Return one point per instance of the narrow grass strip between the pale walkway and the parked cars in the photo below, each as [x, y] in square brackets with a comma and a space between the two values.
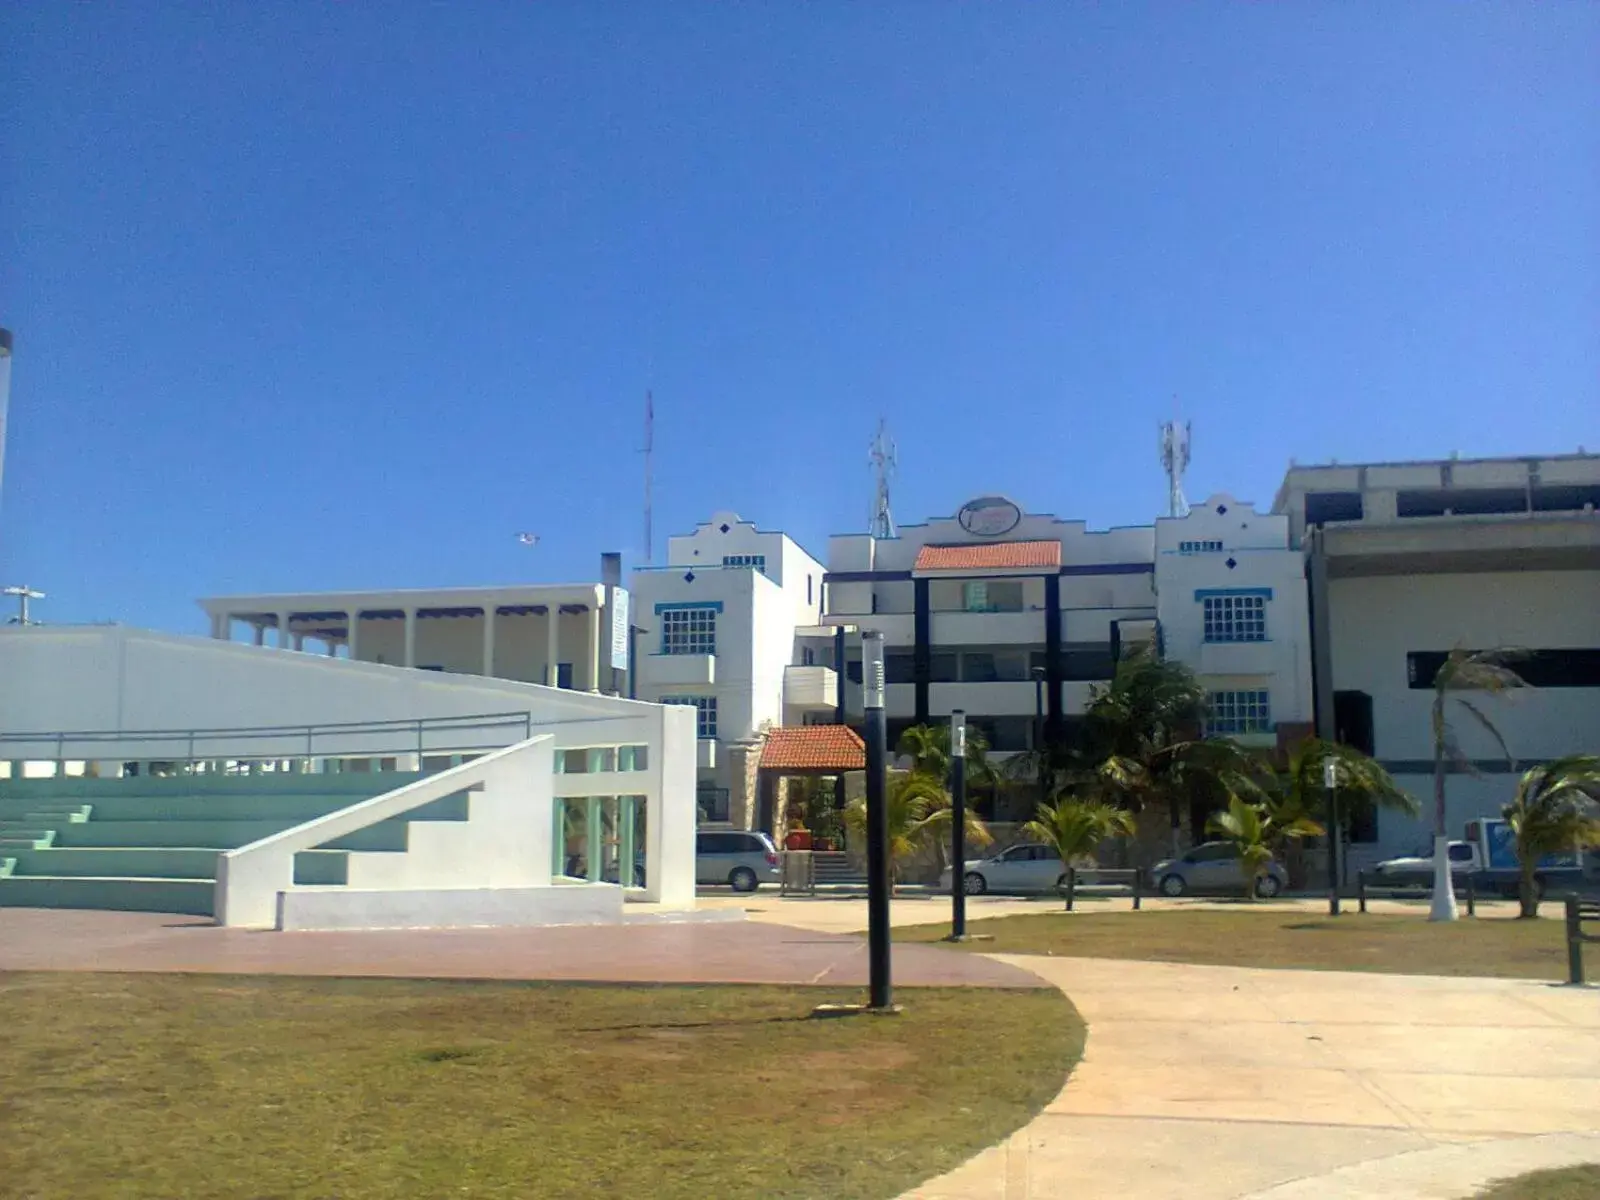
[1407, 945]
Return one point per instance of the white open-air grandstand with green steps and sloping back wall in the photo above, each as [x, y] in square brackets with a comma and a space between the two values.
[278, 788]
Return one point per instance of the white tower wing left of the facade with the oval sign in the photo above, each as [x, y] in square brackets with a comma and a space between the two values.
[718, 631]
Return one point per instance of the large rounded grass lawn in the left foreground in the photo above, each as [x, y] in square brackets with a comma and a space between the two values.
[146, 1086]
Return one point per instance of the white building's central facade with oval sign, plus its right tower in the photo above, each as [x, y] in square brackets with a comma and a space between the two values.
[1017, 617]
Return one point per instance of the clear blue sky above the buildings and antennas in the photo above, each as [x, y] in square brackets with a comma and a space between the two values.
[345, 297]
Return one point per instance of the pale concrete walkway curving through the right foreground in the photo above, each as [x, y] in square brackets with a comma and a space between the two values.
[1217, 1084]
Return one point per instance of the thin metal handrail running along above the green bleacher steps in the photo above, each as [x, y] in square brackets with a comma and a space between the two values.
[81, 740]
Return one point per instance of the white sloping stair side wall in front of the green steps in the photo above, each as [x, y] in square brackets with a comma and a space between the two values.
[510, 849]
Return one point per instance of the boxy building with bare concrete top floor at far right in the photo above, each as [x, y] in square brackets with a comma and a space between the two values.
[1409, 561]
